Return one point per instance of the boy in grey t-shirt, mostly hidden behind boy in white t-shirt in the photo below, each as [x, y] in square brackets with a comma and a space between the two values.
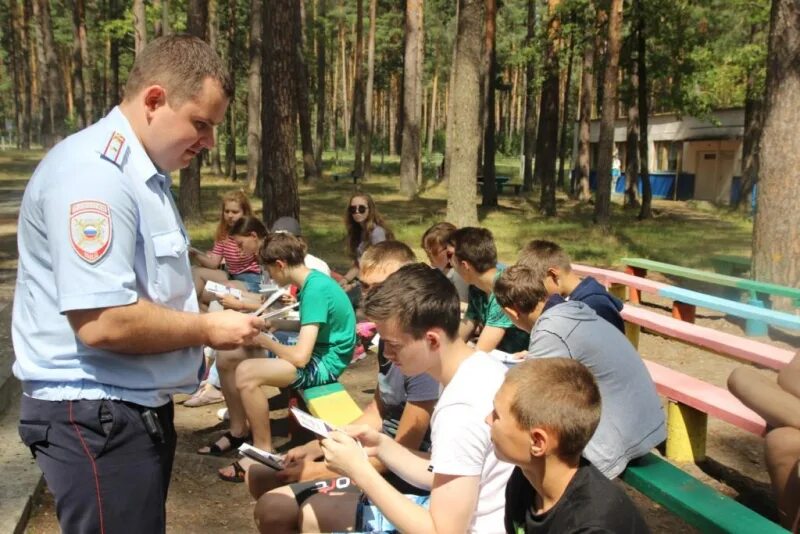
[401, 409]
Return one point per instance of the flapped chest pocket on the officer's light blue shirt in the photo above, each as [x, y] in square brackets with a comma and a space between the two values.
[173, 277]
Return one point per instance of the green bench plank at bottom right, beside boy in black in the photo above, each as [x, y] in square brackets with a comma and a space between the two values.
[687, 497]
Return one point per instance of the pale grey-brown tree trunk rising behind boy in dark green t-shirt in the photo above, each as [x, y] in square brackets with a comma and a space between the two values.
[465, 134]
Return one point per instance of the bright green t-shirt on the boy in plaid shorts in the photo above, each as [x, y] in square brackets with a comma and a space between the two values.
[323, 302]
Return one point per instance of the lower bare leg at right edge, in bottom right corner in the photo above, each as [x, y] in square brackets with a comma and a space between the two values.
[782, 454]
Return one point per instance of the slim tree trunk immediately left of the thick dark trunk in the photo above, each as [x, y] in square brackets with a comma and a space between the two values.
[254, 174]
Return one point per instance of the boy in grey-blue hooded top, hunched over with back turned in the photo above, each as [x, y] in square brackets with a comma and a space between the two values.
[632, 421]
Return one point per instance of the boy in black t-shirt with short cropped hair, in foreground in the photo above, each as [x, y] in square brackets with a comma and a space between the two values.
[544, 414]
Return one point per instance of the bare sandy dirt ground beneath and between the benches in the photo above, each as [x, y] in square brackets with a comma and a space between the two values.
[201, 502]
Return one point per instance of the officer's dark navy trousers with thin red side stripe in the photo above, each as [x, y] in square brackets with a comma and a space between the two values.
[108, 474]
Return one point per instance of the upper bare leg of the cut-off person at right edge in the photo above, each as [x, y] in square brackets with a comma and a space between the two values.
[764, 396]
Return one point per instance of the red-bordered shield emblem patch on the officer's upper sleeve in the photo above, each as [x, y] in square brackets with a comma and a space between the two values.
[90, 229]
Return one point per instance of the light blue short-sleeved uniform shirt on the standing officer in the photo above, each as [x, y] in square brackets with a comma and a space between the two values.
[98, 228]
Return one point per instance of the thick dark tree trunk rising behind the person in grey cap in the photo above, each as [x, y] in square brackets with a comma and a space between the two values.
[280, 116]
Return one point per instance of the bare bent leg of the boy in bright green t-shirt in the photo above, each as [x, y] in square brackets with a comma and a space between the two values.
[250, 376]
